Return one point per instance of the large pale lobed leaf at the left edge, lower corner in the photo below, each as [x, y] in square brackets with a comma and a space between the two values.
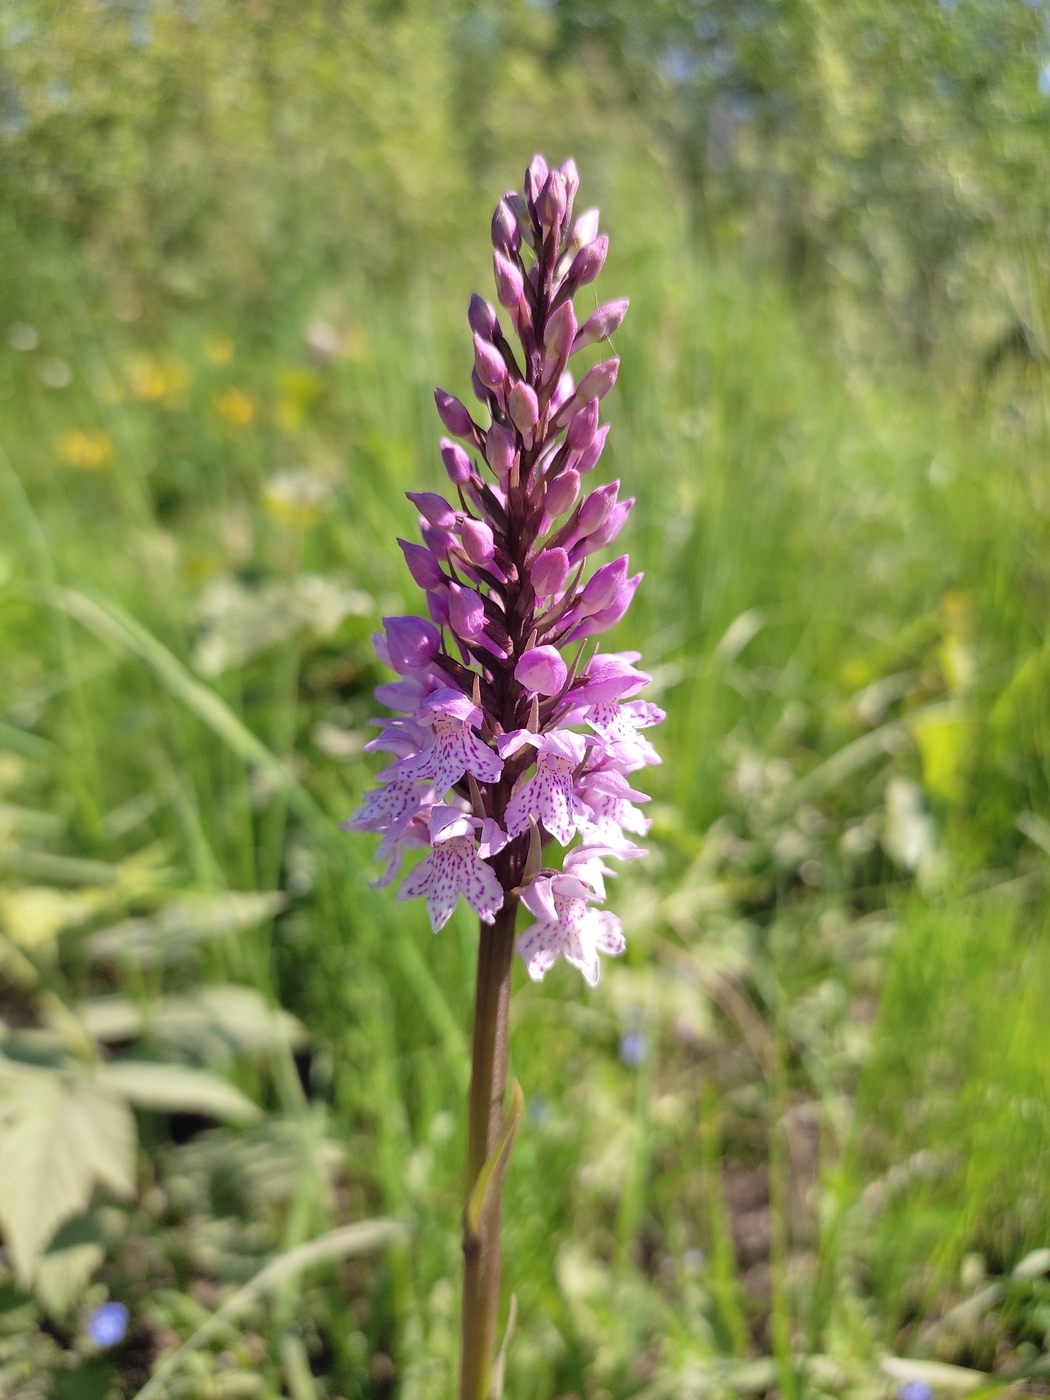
[61, 1137]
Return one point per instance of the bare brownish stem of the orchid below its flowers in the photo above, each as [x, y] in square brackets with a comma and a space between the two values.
[485, 1132]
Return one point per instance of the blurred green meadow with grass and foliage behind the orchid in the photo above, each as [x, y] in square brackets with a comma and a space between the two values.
[796, 1143]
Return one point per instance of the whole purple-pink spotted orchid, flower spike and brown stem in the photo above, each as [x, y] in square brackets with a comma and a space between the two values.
[507, 744]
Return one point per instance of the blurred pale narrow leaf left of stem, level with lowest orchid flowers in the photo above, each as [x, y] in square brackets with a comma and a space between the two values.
[177, 930]
